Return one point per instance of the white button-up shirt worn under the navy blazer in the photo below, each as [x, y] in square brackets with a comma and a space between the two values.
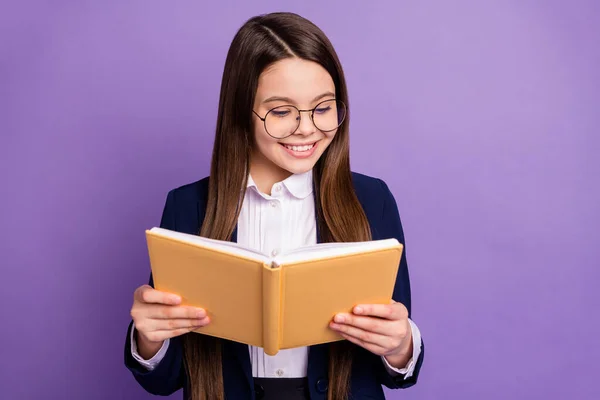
[273, 224]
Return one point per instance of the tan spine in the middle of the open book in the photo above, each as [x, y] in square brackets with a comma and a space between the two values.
[271, 309]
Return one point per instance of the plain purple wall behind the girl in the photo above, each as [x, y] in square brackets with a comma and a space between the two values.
[483, 119]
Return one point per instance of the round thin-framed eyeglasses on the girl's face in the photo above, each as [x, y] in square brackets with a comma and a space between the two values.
[283, 121]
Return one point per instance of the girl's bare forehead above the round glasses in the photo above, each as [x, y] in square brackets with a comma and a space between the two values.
[295, 78]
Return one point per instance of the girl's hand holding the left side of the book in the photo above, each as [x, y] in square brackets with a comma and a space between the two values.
[158, 316]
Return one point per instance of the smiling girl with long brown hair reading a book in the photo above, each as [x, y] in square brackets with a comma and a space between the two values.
[280, 178]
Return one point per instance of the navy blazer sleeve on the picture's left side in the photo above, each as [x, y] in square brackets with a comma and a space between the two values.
[168, 376]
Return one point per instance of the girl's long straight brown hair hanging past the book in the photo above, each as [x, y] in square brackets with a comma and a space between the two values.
[260, 42]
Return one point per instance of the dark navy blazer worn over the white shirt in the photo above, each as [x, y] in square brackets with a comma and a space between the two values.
[184, 212]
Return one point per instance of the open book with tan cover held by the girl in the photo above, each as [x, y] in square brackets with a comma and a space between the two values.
[277, 302]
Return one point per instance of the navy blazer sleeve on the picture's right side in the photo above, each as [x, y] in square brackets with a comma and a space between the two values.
[391, 227]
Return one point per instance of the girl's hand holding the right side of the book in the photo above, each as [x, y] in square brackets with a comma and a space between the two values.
[383, 329]
